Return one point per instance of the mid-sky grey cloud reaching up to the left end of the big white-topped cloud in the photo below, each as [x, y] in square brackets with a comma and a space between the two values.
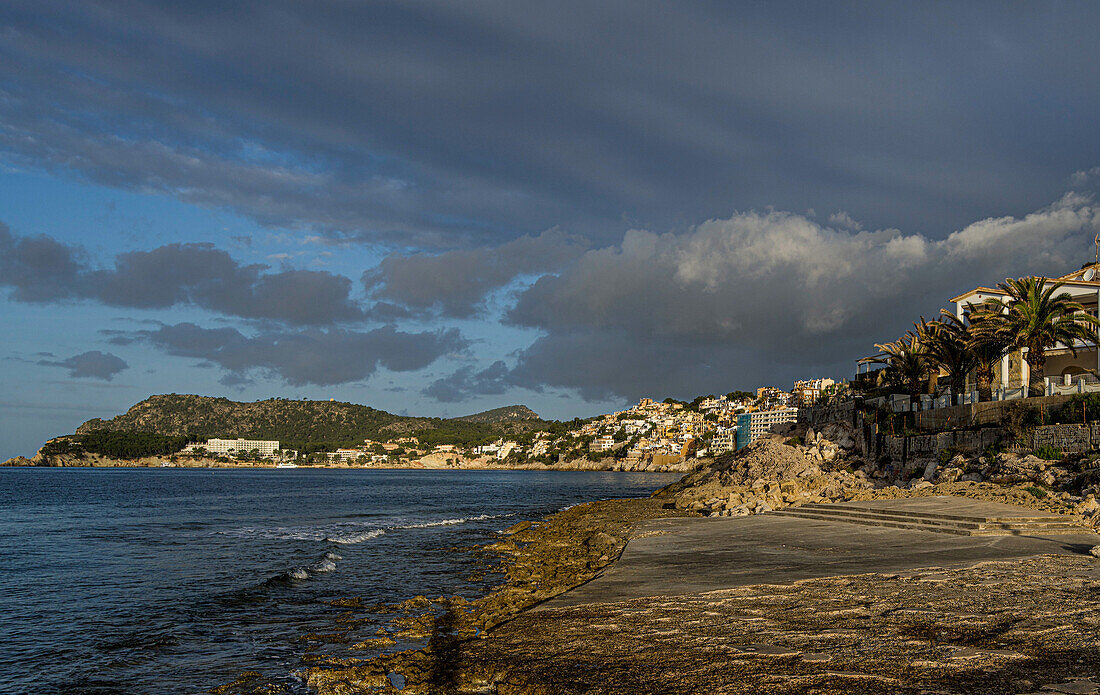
[457, 282]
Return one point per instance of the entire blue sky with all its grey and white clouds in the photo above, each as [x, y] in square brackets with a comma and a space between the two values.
[438, 208]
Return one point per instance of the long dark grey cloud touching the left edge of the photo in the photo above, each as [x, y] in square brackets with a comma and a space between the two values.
[41, 270]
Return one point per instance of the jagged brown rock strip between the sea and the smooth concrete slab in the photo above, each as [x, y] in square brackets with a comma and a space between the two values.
[538, 560]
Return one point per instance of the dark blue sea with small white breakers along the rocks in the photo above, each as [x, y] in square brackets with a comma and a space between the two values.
[156, 581]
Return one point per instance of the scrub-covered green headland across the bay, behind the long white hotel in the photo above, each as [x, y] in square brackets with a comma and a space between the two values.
[303, 425]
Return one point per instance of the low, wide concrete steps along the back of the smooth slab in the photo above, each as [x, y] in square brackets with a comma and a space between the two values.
[1042, 525]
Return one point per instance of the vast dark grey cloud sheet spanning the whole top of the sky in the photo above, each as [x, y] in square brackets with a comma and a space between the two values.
[493, 119]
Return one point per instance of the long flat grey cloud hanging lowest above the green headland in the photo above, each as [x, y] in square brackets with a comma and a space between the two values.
[323, 358]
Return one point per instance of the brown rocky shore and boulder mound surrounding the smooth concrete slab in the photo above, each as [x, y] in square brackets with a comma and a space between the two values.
[926, 632]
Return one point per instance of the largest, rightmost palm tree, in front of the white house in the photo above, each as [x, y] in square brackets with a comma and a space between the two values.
[1032, 316]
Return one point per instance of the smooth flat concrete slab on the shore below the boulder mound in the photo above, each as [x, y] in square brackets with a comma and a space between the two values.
[691, 556]
